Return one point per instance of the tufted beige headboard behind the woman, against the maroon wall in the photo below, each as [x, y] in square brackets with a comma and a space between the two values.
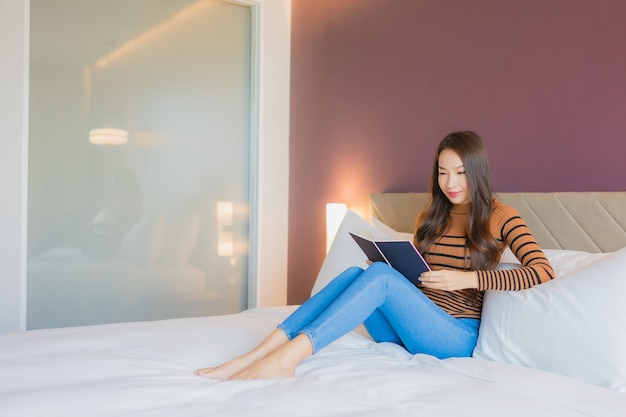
[587, 221]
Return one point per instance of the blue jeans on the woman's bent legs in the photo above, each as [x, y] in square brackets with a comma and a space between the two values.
[392, 310]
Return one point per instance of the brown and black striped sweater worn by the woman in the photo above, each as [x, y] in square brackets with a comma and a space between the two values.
[449, 252]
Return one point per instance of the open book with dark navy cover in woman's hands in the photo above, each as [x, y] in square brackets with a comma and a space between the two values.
[401, 255]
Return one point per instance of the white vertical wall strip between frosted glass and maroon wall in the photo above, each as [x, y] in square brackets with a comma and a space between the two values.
[273, 198]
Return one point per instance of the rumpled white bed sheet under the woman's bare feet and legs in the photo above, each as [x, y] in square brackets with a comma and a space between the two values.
[146, 369]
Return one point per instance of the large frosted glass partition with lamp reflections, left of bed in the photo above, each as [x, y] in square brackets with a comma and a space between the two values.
[150, 220]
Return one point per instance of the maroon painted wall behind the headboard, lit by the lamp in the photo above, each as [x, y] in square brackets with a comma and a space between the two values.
[377, 83]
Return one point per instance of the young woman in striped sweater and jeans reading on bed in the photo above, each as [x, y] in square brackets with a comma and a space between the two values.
[462, 234]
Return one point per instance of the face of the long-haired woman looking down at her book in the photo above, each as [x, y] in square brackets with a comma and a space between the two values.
[452, 178]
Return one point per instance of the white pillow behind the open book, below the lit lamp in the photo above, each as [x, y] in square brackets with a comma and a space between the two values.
[344, 252]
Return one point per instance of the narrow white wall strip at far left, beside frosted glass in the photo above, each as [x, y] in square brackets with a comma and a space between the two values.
[12, 162]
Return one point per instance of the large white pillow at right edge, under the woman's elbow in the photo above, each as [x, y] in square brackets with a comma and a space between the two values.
[573, 325]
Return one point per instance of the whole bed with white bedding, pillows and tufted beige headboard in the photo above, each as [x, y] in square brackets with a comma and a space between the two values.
[555, 350]
